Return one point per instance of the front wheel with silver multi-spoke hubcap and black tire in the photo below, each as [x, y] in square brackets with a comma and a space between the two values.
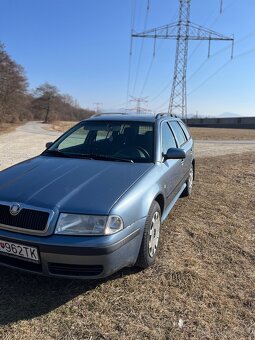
[150, 242]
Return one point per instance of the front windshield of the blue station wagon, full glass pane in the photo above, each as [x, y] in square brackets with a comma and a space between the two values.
[129, 141]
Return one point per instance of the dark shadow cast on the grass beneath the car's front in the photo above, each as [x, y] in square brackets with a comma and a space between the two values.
[25, 296]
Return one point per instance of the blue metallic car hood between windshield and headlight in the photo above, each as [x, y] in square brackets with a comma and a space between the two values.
[68, 184]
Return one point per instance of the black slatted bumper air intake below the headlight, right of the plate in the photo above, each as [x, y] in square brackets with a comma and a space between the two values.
[75, 270]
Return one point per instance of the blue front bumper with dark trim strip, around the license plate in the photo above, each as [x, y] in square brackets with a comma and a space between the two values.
[87, 257]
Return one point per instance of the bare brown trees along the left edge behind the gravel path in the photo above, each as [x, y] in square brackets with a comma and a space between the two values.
[45, 103]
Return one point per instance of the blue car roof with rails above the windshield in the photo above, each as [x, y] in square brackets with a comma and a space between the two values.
[131, 117]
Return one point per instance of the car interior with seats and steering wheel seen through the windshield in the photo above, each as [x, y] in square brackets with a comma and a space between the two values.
[127, 141]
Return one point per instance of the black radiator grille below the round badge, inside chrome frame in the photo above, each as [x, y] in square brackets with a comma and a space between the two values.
[26, 219]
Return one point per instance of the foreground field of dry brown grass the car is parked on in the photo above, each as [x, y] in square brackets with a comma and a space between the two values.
[204, 275]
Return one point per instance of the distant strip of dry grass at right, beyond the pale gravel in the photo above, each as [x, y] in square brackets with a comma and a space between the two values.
[222, 134]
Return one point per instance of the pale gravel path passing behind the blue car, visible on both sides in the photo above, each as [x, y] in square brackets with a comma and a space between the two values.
[29, 140]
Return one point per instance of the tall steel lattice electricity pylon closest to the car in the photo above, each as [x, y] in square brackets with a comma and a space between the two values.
[183, 31]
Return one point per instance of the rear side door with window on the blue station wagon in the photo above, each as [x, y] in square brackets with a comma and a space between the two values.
[185, 143]
